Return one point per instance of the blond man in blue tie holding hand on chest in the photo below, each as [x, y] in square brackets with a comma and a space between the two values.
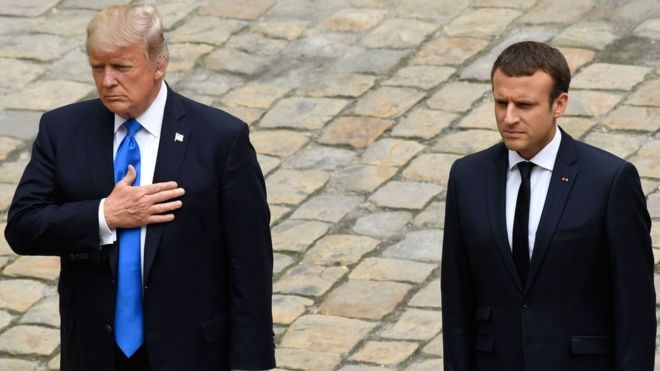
[157, 207]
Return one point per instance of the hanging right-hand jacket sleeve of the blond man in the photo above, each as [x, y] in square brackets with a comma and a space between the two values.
[247, 227]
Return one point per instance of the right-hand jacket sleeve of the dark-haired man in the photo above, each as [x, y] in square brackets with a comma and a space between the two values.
[631, 257]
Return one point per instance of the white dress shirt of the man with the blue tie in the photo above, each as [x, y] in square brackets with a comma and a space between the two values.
[148, 139]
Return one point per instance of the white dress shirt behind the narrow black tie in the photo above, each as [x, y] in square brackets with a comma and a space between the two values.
[539, 184]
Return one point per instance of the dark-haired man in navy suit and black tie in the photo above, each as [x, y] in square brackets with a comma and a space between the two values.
[547, 261]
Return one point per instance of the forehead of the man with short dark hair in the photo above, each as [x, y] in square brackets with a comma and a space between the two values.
[539, 83]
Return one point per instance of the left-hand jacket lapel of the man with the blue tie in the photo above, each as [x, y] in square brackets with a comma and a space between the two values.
[99, 136]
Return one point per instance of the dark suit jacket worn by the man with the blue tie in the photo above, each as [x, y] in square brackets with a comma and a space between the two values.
[207, 275]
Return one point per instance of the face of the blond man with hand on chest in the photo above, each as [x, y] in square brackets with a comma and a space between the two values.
[126, 81]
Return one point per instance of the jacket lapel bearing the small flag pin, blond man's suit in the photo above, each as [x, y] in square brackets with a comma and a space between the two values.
[168, 162]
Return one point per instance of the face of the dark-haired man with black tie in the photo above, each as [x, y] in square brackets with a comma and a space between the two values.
[525, 118]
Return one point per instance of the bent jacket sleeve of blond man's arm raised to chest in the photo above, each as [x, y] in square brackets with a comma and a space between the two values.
[41, 221]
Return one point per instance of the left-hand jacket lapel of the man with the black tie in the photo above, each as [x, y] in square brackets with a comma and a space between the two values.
[496, 199]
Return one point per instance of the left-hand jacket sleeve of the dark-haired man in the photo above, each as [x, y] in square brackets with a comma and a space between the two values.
[457, 289]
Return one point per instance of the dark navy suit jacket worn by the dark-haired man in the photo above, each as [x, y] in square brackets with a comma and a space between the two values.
[589, 302]
